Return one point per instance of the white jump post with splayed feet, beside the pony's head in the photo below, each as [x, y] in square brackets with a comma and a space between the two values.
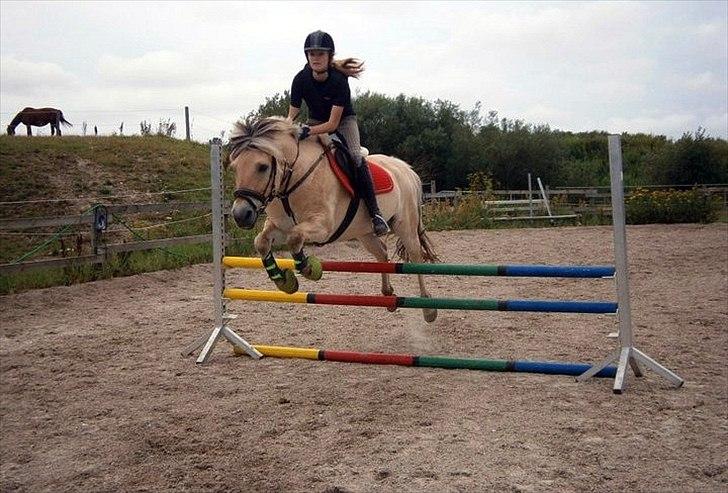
[219, 237]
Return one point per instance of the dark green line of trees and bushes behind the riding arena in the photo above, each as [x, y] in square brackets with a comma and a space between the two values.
[450, 145]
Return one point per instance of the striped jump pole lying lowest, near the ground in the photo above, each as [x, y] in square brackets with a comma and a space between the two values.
[521, 366]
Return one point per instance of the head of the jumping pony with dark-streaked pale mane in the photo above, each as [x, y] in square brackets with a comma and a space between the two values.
[256, 148]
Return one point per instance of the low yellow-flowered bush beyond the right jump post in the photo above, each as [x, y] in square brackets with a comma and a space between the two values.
[671, 206]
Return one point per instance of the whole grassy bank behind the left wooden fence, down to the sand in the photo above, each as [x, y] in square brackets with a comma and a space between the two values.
[51, 176]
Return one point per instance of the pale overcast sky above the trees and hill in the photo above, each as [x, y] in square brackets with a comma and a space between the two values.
[650, 67]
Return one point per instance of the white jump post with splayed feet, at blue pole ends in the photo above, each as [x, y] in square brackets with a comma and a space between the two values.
[626, 354]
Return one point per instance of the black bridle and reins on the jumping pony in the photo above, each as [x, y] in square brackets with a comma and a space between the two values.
[283, 191]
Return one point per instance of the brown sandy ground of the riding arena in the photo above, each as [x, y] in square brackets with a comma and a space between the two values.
[95, 396]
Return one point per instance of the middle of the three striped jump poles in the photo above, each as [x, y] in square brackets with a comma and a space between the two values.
[393, 302]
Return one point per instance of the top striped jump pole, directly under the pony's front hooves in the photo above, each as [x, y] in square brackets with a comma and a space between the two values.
[574, 271]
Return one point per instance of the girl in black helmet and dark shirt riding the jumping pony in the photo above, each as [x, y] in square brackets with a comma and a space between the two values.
[323, 84]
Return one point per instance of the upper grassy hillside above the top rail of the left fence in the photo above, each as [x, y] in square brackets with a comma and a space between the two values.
[41, 168]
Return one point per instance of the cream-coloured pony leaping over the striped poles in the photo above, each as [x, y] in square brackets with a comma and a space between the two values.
[305, 202]
